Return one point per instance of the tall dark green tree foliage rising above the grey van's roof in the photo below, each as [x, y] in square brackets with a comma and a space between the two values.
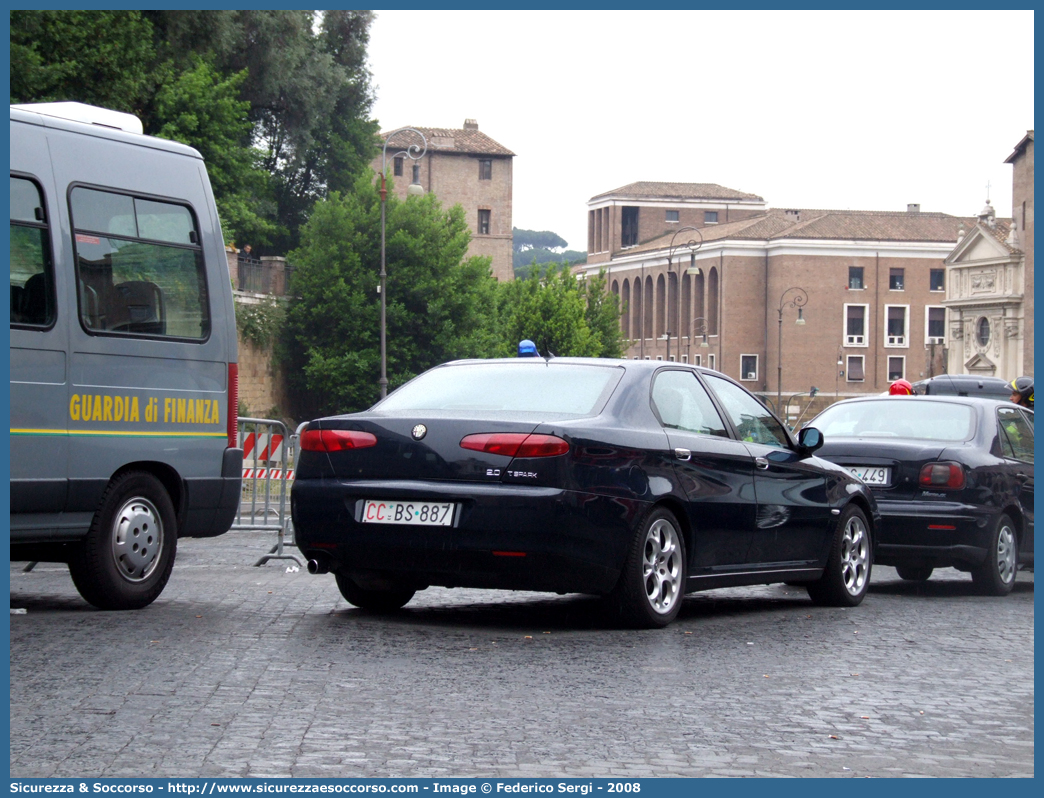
[279, 109]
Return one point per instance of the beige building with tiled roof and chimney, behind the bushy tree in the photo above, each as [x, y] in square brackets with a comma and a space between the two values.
[463, 168]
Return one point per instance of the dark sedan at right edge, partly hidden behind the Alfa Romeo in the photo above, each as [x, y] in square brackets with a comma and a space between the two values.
[954, 479]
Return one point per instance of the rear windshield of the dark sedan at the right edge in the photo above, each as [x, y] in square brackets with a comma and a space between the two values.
[898, 418]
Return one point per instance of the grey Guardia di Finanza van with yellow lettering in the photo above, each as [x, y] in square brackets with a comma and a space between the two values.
[124, 355]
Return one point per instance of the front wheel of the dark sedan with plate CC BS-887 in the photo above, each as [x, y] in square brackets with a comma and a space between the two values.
[847, 576]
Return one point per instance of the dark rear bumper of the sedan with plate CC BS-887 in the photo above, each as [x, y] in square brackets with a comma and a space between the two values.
[508, 537]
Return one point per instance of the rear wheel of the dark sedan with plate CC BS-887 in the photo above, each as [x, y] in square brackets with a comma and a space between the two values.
[650, 593]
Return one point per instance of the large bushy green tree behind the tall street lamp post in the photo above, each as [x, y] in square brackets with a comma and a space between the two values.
[438, 301]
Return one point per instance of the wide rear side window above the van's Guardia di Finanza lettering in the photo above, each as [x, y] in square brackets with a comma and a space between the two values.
[139, 267]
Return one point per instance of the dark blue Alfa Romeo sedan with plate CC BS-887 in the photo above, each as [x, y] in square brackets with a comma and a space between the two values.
[637, 481]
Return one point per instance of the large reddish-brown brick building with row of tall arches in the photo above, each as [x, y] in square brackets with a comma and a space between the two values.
[875, 284]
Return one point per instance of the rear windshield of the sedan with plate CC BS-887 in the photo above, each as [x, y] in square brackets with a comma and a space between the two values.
[548, 390]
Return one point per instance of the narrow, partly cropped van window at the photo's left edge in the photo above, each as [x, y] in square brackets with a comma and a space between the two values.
[32, 270]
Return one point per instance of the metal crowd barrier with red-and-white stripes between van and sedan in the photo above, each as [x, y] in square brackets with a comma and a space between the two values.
[269, 459]
